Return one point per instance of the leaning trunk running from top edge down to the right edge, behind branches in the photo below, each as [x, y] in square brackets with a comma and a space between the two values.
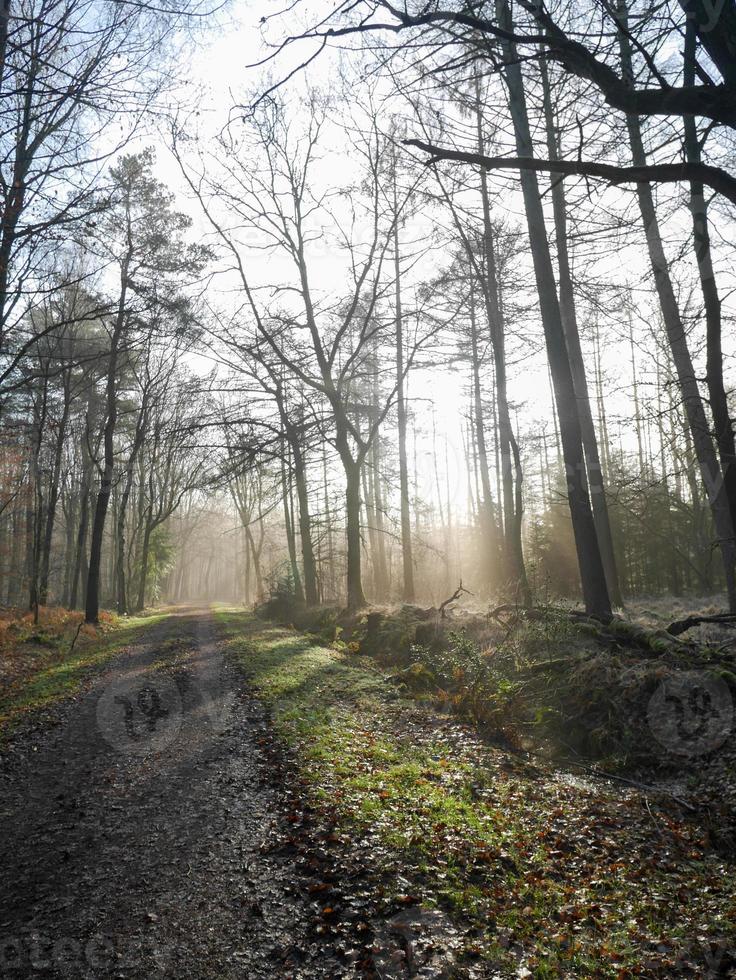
[705, 455]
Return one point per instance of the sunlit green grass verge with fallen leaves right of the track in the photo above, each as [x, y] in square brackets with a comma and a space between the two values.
[584, 882]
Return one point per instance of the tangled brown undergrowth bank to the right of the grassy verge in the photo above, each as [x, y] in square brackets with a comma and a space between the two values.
[545, 681]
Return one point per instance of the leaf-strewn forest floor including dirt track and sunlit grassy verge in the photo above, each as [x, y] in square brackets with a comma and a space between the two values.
[222, 797]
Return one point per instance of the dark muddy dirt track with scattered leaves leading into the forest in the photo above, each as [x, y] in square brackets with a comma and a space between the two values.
[132, 832]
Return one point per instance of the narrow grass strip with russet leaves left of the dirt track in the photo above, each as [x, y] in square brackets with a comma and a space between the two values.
[54, 674]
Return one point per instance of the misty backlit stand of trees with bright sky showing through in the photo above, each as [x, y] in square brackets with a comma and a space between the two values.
[438, 296]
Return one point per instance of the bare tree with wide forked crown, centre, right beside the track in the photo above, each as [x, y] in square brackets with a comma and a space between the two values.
[273, 192]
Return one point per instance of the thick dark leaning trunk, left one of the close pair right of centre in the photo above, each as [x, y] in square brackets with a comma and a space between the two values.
[593, 580]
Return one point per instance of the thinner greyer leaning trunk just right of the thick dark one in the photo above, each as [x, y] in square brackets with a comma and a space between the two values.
[568, 313]
